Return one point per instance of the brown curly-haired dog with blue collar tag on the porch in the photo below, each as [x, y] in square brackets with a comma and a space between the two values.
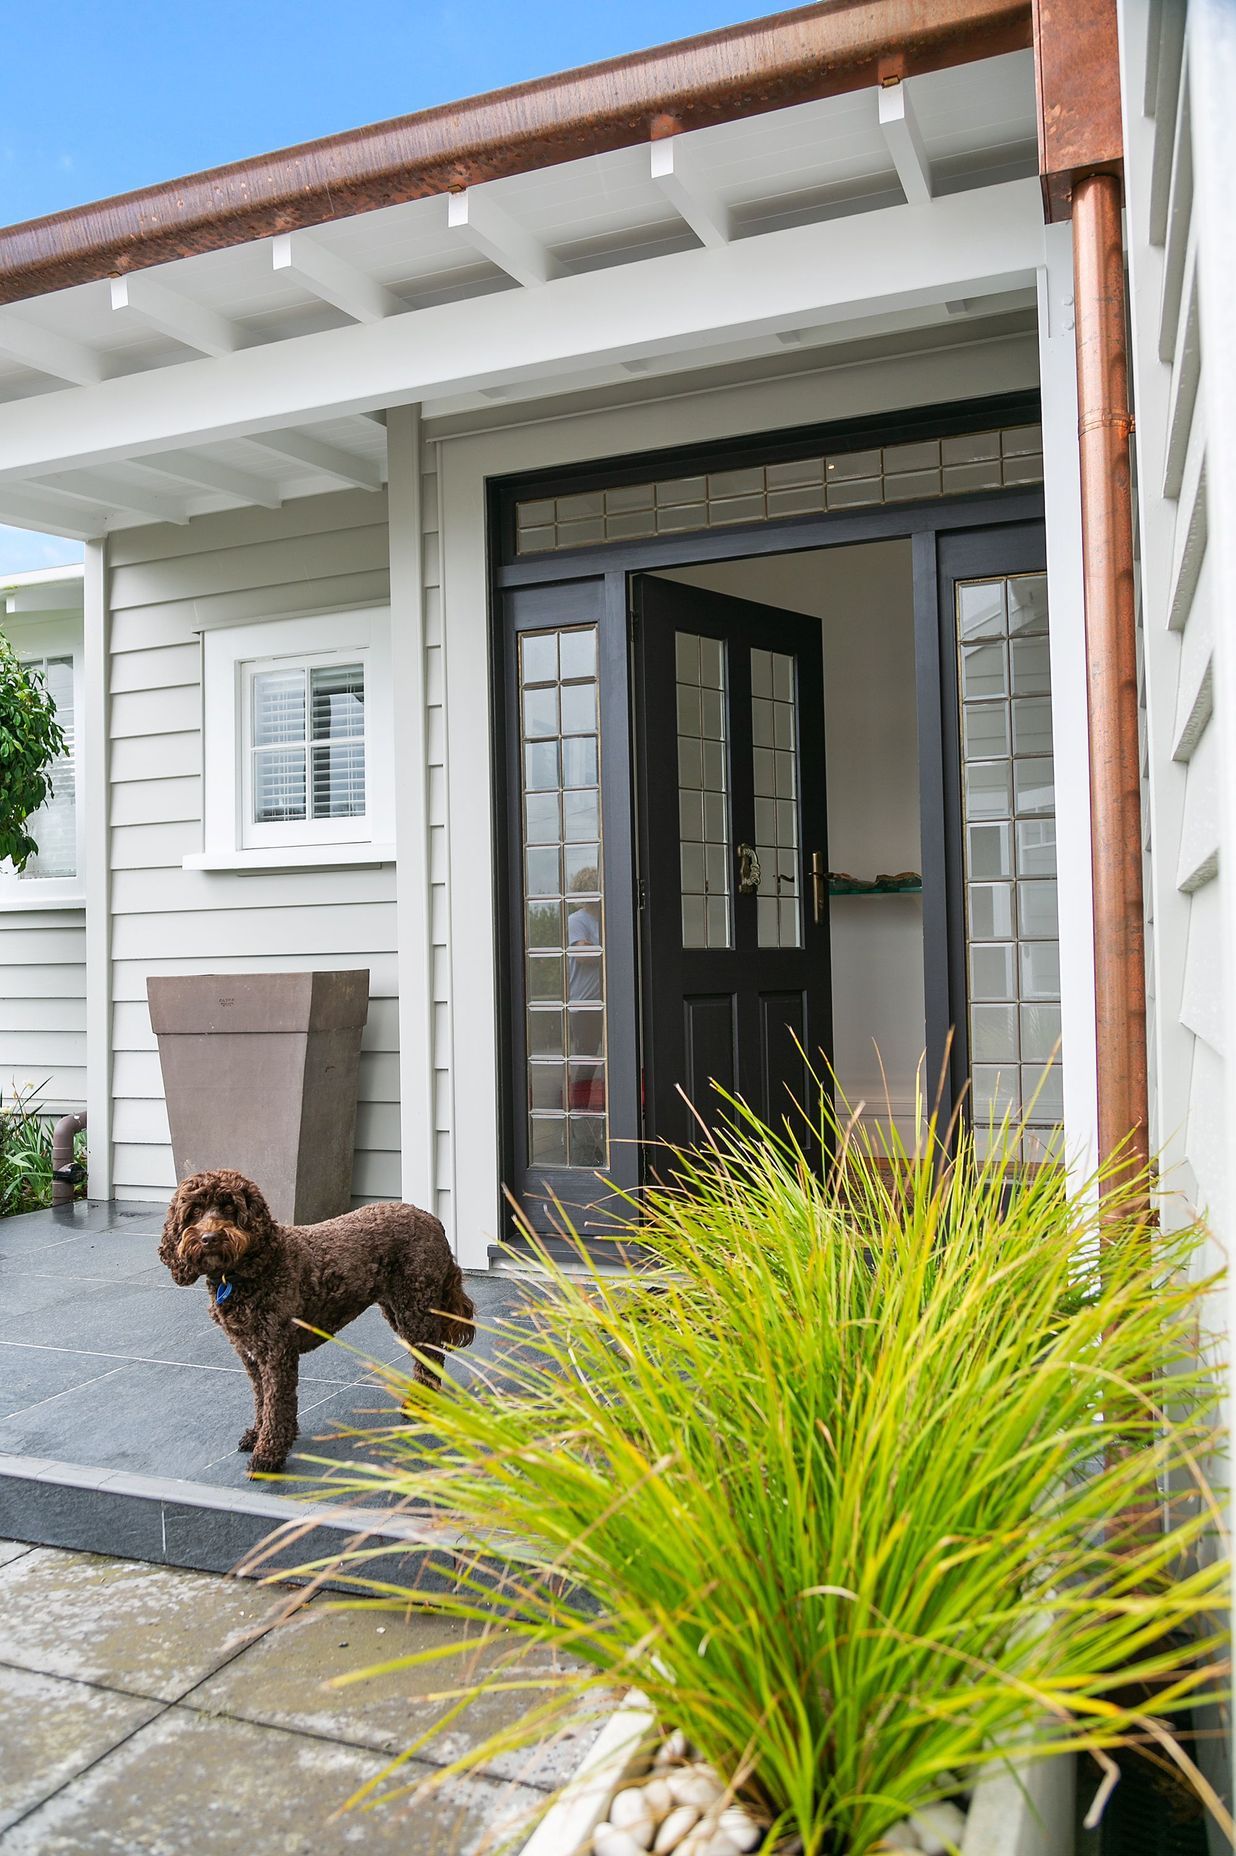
[268, 1278]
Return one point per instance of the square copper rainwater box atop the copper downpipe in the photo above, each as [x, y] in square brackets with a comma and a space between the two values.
[1077, 81]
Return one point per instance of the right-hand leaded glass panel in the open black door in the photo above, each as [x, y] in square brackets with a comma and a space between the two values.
[775, 749]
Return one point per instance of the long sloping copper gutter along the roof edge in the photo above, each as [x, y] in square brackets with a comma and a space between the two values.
[741, 71]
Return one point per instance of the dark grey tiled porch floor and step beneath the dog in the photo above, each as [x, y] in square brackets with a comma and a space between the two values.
[107, 1365]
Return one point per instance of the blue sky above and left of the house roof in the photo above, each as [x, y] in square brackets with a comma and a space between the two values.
[118, 97]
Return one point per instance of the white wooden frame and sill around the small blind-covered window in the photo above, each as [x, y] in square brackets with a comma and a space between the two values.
[231, 658]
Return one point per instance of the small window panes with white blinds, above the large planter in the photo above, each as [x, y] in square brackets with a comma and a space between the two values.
[309, 743]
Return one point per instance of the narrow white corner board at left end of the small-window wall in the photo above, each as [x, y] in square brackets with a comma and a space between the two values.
[96, 771]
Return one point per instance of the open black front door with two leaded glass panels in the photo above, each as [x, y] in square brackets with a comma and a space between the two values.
[732, 858]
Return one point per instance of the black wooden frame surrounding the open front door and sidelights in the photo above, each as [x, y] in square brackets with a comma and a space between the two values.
[613, 565]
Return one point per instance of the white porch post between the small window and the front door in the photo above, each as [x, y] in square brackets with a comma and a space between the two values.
[413, 925]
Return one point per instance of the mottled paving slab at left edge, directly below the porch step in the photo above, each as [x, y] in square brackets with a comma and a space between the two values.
[131, 1627]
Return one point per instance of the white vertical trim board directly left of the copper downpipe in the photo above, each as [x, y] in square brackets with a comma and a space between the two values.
[1062, 496]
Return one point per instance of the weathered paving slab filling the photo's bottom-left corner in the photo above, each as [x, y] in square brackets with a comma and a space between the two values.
[231, 1788]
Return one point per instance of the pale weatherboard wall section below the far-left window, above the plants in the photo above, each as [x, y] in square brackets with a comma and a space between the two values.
[44, 1007]
